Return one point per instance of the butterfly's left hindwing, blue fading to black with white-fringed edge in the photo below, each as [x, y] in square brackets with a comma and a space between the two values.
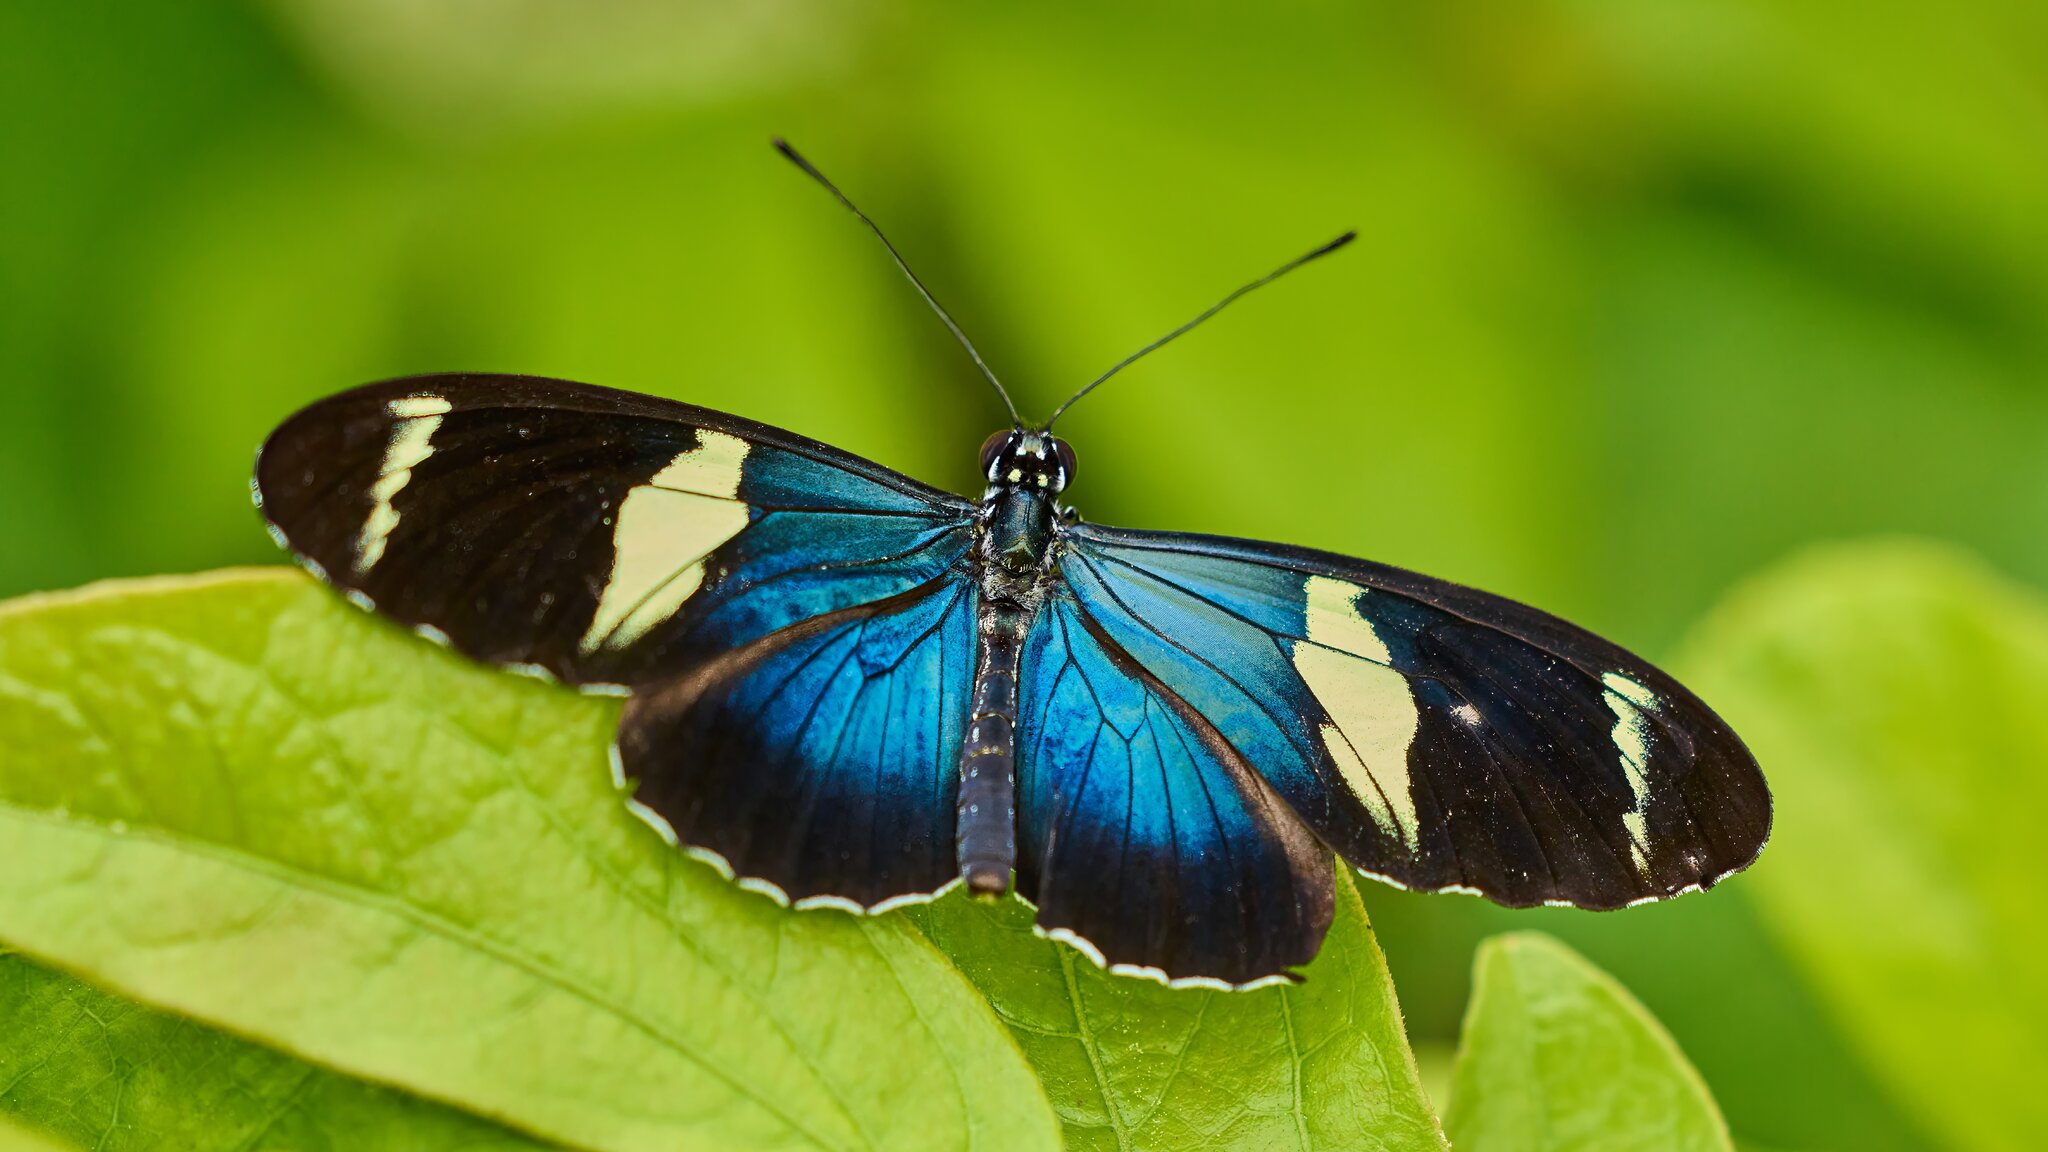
[820, 762]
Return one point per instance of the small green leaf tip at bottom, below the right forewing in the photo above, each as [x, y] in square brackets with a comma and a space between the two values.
[1558, 1055]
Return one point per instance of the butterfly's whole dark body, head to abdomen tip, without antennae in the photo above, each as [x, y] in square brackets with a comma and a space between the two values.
[1017, 563]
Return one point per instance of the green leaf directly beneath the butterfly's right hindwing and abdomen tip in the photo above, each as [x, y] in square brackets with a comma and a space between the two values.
[1134, 1065]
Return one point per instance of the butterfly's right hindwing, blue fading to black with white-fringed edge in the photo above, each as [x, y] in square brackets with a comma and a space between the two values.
[1142, 831]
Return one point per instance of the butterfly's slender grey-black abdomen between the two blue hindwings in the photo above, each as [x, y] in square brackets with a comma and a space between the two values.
[986, 841]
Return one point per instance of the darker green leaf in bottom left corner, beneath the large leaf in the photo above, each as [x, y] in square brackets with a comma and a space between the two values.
[112, 1075]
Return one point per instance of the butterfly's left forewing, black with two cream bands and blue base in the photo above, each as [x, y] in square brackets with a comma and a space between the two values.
[591, 534]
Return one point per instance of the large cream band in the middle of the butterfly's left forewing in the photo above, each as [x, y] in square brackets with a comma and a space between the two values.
[663, 534]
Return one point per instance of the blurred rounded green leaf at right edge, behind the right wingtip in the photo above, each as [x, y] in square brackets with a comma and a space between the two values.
[1897, 698]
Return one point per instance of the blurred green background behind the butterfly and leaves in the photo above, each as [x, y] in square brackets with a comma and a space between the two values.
[1646, 298]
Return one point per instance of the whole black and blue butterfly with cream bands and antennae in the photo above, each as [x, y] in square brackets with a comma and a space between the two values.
[851, 690]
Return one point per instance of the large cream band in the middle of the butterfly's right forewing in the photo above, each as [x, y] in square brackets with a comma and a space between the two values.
[1373, 714]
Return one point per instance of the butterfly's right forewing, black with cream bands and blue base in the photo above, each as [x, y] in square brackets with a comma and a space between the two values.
[1433, 735]
